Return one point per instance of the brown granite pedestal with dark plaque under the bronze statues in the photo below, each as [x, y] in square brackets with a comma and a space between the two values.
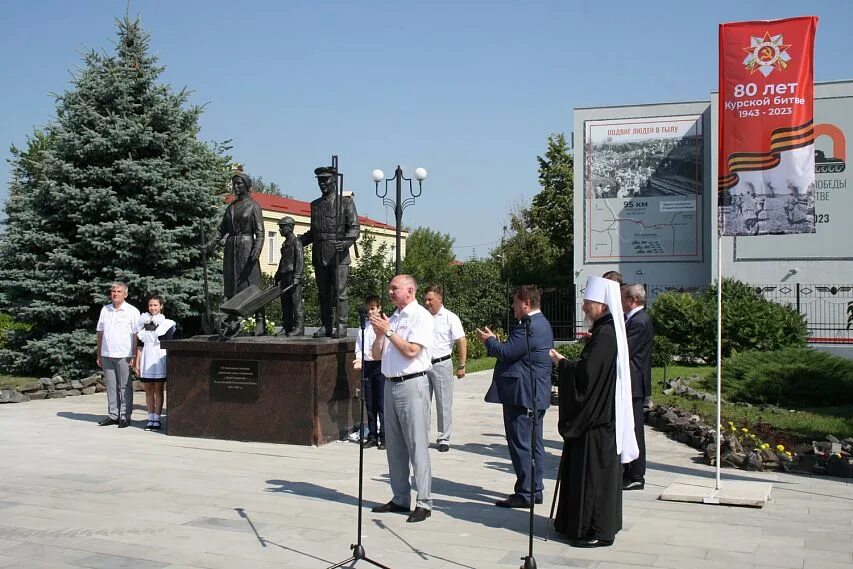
[266, 389]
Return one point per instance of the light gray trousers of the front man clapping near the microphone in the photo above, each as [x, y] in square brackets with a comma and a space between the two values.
[407, 409]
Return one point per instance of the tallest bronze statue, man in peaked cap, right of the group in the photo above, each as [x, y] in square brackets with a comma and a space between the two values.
[334, 228]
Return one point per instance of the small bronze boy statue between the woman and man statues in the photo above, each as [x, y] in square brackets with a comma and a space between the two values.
[289, 278]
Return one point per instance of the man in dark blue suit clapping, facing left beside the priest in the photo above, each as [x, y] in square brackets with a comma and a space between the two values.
[522, 361]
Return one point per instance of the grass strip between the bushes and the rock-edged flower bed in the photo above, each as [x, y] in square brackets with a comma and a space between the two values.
[804, 425]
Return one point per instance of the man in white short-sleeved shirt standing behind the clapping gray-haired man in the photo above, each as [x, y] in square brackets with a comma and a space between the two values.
[448, 329]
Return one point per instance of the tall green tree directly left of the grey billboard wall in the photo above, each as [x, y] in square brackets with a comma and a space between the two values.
[540, 247]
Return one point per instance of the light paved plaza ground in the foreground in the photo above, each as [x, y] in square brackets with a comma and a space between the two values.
[73, 495]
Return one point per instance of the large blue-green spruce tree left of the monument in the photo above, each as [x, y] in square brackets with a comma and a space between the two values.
[117, 187]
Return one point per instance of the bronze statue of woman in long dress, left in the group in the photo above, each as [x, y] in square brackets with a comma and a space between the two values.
[242, 228]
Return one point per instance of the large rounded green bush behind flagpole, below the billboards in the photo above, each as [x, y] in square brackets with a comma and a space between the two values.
[750, 322]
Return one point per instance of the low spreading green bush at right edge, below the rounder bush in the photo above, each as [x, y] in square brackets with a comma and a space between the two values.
[793, 378]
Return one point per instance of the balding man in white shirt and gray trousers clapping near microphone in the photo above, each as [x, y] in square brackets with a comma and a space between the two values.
[403, 344]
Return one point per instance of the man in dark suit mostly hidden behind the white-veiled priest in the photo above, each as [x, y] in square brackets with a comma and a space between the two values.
[638, 327]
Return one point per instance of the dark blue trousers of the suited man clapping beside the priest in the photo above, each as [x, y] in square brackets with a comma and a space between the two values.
[517, 426]
